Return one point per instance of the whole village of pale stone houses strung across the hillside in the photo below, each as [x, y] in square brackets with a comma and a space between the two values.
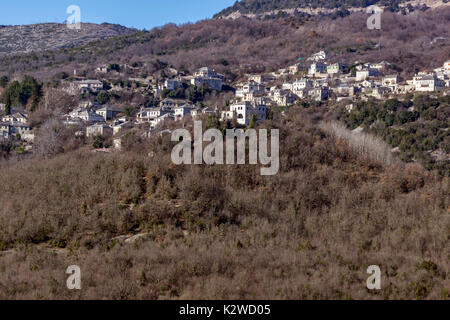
[314, 80]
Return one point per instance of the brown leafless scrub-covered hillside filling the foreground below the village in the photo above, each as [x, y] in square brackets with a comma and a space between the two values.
[142, 228]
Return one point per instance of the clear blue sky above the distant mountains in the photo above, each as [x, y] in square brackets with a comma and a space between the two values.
[131, 13]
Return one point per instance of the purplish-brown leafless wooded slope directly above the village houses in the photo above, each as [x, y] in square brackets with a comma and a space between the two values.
[243, 45]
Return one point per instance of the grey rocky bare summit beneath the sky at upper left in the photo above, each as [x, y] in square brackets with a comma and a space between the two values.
[49, 36]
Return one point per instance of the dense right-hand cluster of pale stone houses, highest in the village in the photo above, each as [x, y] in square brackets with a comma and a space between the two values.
[322, 80]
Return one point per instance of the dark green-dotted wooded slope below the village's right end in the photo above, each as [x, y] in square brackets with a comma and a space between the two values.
[415, 127]
